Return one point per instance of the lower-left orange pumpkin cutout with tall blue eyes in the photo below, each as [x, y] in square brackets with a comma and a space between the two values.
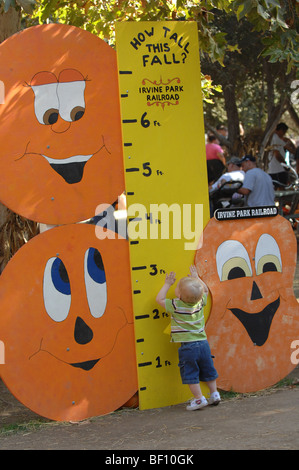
[66, 323]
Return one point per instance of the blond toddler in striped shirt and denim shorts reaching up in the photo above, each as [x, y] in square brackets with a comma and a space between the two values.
[188, 328]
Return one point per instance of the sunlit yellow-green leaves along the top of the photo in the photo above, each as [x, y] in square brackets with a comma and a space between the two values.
[277, 20]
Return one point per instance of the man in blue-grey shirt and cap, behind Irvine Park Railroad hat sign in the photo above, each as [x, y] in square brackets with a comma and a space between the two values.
[257, 186]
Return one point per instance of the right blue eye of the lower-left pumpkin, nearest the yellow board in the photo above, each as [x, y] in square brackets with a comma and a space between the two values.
[95, 282]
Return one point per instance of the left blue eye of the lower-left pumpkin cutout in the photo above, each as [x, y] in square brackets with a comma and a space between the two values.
[56, 290]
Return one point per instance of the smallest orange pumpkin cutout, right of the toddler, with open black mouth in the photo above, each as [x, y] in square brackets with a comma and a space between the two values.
[249, 267]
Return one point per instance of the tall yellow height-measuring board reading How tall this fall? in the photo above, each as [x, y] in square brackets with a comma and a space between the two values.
[166, 184]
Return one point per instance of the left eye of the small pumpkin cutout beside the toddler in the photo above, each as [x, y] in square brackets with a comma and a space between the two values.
[232, 261]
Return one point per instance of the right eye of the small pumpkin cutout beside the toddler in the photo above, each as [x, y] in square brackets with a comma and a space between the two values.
[267, 255]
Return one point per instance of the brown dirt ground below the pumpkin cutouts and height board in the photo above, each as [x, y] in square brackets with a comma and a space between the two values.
[267, 420]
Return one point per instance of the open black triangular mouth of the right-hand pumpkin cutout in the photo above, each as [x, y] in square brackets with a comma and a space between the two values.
[258, 324]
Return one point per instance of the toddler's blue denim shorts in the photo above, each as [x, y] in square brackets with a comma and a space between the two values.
[196, 363]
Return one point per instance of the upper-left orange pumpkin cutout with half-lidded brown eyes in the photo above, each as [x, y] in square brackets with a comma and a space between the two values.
[60, 127]
